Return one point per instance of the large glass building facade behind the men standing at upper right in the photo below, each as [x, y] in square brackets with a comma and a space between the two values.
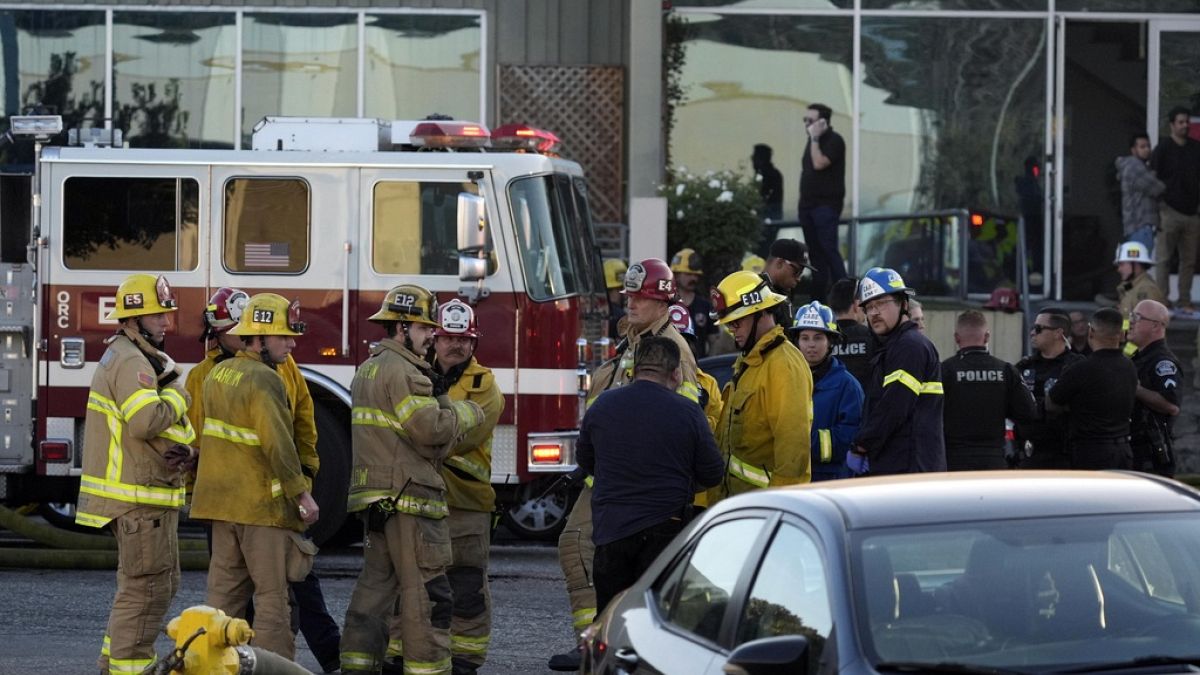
[946, 105]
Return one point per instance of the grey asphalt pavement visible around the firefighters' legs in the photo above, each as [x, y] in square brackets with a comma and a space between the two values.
[53, 622]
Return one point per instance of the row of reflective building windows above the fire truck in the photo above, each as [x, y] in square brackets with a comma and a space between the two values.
[196, 77]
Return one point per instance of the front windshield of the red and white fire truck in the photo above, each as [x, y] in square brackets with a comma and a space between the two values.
[559, 254]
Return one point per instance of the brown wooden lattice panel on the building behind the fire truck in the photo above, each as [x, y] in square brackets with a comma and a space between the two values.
[584, 106]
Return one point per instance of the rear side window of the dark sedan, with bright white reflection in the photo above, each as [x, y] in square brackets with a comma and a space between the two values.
[695, 595]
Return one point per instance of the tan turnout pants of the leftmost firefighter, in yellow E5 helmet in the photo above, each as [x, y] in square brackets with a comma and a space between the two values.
[147, 581]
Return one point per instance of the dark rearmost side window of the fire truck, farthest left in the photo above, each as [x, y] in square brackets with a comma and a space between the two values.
[147, 224]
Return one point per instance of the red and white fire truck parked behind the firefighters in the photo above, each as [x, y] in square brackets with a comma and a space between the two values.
[332, 212]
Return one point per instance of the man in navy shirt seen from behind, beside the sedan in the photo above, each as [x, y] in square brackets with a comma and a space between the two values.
[640, 435]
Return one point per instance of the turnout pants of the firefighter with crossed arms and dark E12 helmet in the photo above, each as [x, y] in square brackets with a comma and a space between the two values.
[407, 558]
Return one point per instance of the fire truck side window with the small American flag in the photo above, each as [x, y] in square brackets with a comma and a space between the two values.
[267, 224]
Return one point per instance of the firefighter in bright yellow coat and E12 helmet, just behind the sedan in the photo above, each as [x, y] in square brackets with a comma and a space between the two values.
[767, 419]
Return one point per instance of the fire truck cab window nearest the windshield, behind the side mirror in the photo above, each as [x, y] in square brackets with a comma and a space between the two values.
[415, 228]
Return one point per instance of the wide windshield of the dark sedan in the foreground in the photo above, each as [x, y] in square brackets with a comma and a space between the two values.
[1046, 594]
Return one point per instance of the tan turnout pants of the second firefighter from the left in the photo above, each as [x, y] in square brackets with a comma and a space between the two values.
[253, 561]
